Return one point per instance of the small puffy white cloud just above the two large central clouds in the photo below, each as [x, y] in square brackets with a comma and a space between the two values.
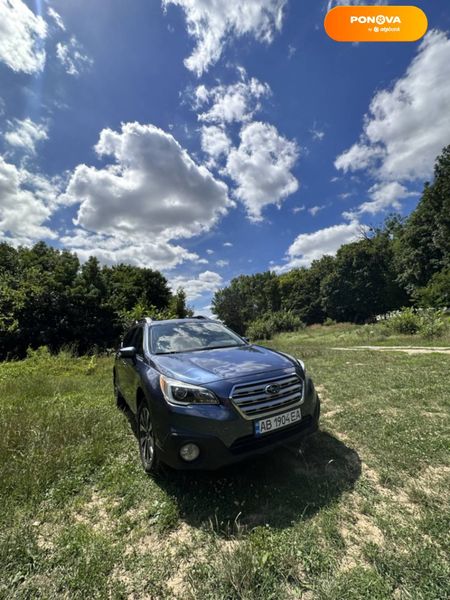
[227, 103]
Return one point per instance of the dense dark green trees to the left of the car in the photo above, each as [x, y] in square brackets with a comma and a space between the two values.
[47, 298]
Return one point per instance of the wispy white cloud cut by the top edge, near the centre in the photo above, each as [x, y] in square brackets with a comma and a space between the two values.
[211, 23]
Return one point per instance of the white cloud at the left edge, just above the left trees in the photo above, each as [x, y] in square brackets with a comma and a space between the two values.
[23, 209]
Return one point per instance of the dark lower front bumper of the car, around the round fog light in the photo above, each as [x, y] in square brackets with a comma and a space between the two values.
[215, 453]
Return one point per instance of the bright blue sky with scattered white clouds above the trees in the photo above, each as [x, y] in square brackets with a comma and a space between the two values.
[210, 139]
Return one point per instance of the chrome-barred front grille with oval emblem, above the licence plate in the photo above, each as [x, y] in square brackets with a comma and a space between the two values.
[261, 398]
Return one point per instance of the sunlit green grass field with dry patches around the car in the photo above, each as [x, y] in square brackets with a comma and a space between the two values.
[360, 512]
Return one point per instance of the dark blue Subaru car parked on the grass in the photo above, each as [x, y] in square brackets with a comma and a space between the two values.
[204, 397]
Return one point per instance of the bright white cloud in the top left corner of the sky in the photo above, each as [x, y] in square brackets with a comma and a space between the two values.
[22, 35]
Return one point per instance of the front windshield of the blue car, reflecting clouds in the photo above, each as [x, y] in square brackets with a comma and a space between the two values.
[168, 338]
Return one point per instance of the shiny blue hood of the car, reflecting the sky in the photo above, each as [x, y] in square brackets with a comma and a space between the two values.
[205, 366]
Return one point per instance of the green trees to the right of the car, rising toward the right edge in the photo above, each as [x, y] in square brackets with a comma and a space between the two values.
[405, 262]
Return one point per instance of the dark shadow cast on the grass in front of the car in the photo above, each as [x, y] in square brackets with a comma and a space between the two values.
[277, 489]
